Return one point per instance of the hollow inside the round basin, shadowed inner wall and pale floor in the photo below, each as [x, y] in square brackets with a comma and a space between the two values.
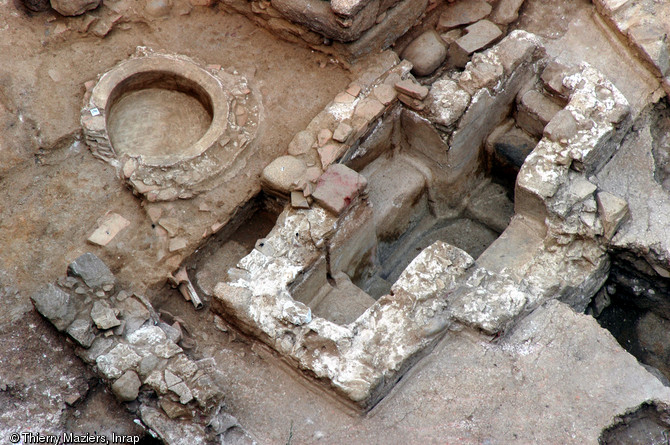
[157, 113]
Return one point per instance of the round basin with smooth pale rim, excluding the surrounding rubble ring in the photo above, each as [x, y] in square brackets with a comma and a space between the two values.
[161, 109]
